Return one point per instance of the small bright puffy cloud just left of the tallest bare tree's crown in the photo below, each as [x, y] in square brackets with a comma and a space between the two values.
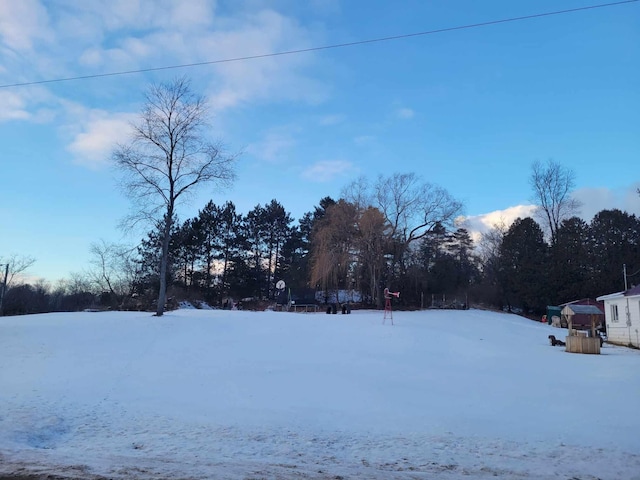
[101, 131]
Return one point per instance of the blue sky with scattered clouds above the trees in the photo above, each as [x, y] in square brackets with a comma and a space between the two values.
[469, 110]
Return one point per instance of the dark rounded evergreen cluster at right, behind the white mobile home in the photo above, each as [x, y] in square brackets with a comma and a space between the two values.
[584, 260]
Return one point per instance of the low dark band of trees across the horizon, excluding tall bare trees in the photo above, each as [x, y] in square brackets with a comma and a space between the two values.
[339, 246]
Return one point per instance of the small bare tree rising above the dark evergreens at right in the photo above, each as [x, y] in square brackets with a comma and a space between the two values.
[552, 186]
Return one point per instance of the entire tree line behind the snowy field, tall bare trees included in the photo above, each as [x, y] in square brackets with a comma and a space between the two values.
[397, 232]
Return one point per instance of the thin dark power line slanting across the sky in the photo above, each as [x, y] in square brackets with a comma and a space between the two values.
[325, 47]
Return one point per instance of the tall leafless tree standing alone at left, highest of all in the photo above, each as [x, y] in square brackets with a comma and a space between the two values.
[167, 158]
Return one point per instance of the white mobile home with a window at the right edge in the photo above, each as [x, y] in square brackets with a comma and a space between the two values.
[622, 315]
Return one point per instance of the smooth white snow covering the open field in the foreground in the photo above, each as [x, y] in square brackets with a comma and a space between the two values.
[252, 395]
